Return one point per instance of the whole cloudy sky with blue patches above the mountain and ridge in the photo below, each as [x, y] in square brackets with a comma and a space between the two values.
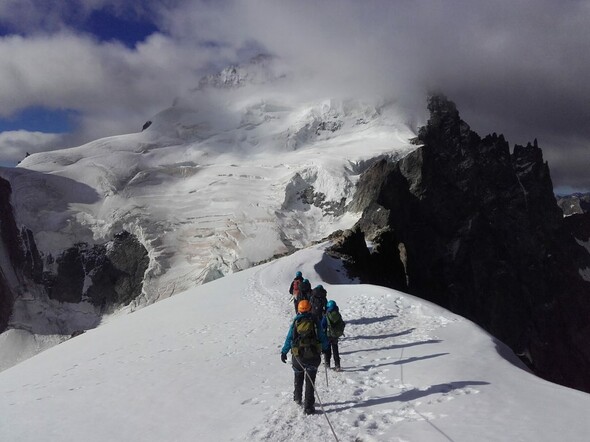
[513, 67]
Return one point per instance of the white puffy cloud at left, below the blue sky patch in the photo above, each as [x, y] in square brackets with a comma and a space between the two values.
[113, 88]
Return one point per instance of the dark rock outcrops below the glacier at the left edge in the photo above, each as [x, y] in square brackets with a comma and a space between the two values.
[106, 275]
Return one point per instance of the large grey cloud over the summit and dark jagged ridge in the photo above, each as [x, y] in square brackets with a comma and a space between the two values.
[514, 67]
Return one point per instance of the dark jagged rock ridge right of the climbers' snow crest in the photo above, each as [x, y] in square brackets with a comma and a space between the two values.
[478, 230]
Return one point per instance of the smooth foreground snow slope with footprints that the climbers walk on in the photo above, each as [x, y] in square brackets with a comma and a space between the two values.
[204, 365]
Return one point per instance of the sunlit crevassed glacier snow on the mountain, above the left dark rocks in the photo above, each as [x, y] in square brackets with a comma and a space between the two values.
[214, 184]
